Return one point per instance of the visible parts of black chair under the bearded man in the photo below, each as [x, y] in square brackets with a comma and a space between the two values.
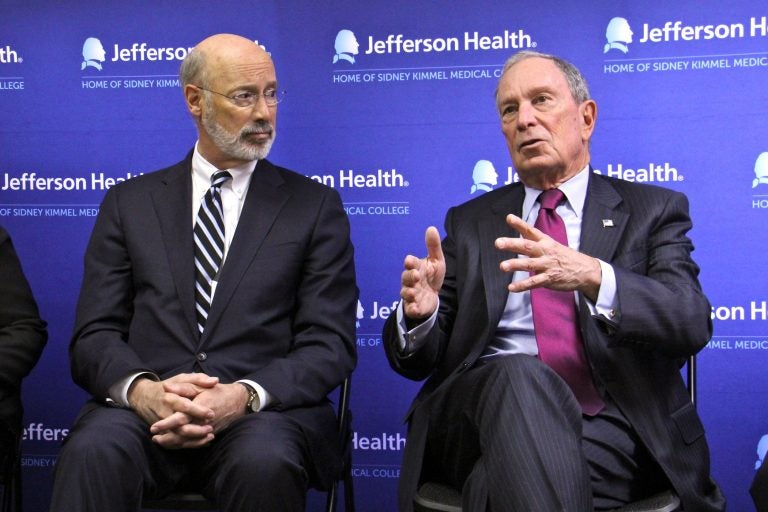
[189, 500]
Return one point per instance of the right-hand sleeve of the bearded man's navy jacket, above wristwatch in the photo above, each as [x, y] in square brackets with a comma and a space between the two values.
[323, 351]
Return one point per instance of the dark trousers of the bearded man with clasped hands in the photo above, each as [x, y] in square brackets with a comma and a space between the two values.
[109, 462]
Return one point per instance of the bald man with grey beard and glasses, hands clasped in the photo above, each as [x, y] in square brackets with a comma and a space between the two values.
[216, 313]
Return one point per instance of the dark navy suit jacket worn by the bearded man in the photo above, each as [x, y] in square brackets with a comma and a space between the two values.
[284, 310]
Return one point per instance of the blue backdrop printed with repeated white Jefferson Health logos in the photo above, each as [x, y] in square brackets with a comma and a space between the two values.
[396, 124]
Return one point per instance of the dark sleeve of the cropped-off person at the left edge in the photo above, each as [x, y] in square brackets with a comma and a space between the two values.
[22, 332]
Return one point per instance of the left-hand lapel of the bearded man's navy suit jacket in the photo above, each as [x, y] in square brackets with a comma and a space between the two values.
[173, 205]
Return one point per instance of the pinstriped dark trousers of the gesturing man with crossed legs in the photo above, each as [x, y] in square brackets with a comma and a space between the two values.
[510, 433]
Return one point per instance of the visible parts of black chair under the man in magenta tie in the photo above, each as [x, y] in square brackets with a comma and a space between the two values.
[439, 497]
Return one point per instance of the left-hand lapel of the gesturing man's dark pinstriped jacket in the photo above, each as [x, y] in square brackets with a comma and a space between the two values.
[489, 228]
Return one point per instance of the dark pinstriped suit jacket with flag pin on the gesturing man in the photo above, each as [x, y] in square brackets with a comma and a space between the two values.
[664, 319]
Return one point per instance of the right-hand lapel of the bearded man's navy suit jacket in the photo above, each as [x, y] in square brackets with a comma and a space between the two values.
[263, 203]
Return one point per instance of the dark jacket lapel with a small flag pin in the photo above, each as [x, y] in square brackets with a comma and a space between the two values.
[604, 223]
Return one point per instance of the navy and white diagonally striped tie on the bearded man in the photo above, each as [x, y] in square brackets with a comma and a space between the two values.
[209, 245]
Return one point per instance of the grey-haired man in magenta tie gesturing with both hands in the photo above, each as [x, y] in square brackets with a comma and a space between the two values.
[551, 324]
